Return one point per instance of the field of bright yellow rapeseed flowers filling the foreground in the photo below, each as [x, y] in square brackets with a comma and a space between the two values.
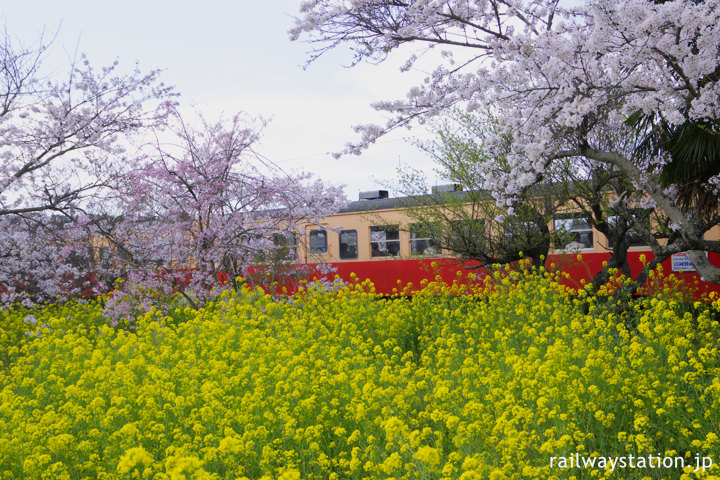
[516, 378]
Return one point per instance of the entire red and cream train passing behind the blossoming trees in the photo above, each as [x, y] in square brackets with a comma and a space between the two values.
[373, 238]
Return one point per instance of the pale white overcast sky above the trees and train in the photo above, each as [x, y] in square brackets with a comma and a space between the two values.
[230, 56]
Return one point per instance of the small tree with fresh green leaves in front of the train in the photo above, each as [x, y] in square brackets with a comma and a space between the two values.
[466, 221]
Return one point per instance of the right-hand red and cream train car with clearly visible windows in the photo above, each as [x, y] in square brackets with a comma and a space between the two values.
[373, 238]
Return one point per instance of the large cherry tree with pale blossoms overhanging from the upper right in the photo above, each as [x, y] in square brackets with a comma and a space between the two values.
[557, 78]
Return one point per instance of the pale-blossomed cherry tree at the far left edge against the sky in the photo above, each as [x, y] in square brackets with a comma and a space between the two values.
[63, 140]
